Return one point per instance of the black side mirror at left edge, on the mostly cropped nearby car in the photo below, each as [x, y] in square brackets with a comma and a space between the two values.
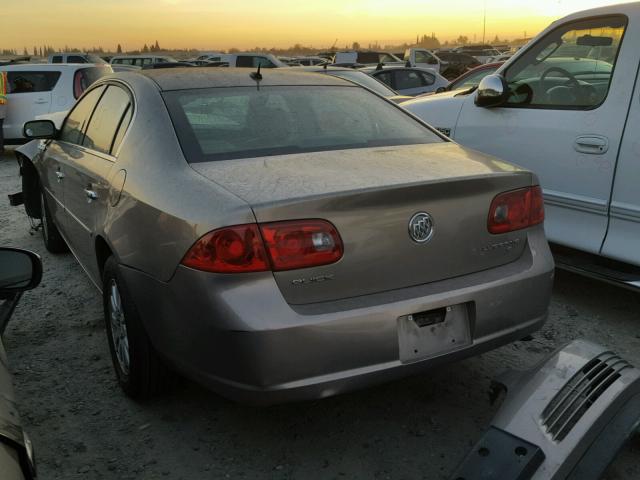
[21, 271]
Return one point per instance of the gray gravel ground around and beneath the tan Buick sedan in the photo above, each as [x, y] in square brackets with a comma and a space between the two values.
[82, 426]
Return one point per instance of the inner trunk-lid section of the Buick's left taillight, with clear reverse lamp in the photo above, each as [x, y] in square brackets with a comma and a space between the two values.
[301, 243]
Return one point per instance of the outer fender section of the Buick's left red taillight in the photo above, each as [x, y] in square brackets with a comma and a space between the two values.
[229, 250]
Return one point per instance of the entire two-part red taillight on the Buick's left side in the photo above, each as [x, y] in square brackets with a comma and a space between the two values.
[282, 246]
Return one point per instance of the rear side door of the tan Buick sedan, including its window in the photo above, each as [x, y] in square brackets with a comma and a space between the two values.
[88, 171]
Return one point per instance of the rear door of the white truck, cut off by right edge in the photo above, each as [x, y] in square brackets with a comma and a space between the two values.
[623, 236]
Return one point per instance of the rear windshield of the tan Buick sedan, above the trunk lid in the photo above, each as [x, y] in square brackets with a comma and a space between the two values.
[228, 123]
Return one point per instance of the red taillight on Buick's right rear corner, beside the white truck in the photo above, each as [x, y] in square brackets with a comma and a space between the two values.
[516, 210]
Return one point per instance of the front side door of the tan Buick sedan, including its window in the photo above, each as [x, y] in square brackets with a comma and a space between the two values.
[55, 157]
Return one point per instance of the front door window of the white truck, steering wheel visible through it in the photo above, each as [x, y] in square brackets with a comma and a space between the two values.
[571, 67]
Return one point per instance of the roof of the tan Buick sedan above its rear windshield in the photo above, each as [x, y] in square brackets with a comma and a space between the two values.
[203, 77]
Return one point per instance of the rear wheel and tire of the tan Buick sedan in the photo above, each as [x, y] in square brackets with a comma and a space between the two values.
[140, 372]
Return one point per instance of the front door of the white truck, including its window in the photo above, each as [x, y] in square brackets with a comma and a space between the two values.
[564, 120]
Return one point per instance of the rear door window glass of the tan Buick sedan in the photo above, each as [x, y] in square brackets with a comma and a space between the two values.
[106, 119]
